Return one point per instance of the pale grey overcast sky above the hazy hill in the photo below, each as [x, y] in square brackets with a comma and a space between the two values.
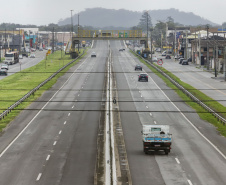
[43, 12]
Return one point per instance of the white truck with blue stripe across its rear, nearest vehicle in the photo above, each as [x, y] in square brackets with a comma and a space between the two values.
[156, 137]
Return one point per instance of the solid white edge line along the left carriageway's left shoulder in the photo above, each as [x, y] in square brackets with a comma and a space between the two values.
[10, 144]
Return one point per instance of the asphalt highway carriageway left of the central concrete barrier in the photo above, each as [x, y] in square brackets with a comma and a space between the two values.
[59, 147]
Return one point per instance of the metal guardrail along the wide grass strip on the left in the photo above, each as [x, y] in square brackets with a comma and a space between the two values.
[6, 112]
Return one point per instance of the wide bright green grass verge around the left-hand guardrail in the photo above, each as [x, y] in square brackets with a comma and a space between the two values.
[15, 86]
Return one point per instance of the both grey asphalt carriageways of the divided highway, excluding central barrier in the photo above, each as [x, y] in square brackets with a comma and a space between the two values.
[59, 144]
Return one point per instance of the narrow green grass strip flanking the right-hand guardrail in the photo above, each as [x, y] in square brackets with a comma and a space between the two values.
[204, 115]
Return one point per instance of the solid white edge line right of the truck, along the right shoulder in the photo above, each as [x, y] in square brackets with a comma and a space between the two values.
[190, 122]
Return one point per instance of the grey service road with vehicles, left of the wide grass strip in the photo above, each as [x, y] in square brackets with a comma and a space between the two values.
[26, 63]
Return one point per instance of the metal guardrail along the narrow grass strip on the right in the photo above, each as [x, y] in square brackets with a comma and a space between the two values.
[219, 117]
